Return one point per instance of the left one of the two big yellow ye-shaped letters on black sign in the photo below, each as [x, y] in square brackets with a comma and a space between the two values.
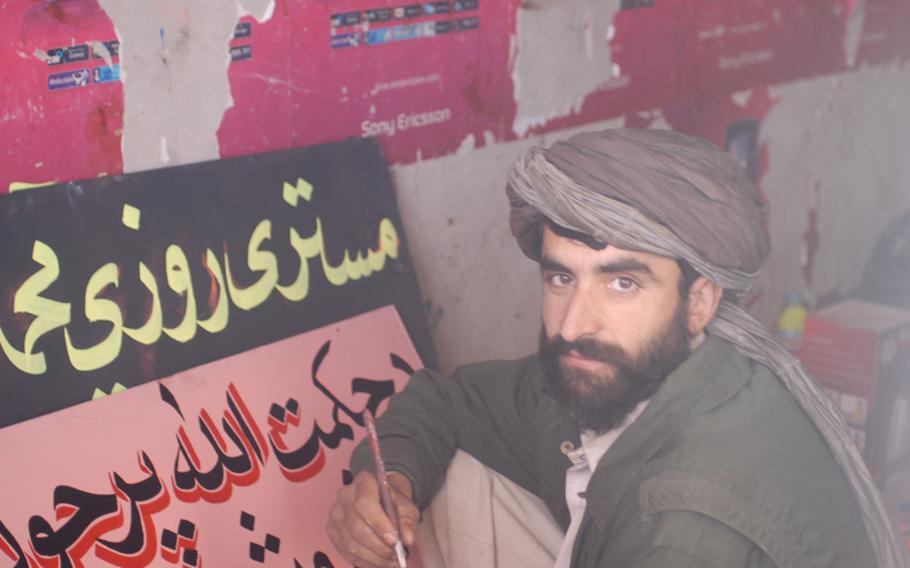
[99, 309]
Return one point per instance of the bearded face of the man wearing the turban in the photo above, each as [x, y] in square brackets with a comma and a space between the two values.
[614, 326]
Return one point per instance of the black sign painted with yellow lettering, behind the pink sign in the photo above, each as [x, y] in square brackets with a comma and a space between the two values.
[123, 280]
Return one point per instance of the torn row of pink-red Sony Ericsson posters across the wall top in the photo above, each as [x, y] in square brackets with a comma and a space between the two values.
[426, 78]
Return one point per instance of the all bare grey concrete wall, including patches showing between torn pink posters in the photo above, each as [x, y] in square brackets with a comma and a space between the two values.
[835, 143]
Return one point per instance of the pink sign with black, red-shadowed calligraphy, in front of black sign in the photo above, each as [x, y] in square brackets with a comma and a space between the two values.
[233, 463]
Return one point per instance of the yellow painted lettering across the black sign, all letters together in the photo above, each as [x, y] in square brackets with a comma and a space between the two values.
[224, 290]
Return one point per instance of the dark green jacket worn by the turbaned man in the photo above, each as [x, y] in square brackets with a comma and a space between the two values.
[721, 470]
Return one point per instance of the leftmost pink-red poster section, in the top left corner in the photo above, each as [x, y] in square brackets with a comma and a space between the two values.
[61, 101]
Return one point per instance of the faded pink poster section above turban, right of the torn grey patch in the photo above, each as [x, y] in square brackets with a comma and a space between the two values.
[679, 51]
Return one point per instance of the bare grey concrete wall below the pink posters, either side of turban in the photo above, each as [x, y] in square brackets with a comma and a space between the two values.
[844, 134]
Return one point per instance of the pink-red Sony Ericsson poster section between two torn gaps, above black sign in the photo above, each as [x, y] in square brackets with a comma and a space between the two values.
[421, 76]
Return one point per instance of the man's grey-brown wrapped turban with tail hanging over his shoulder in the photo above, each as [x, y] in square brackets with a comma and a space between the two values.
[669, 194]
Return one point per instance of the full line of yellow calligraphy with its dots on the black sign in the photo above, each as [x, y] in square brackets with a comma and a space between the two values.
[47, 312]
